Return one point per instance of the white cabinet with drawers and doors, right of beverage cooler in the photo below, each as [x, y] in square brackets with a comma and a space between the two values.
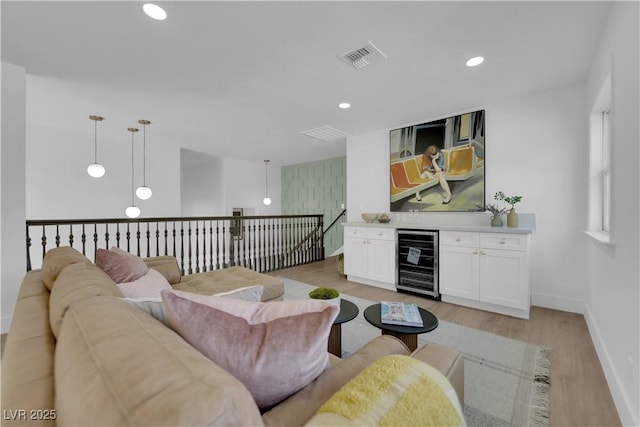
[489, 271]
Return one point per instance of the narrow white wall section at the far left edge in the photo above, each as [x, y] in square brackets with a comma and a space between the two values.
[12, 182]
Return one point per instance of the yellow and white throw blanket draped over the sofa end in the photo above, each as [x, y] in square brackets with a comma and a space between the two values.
[395, 390]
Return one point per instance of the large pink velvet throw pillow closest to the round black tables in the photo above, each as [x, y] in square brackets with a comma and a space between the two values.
[273, 348]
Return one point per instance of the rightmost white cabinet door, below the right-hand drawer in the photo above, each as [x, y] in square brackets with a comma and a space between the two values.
[504, 278]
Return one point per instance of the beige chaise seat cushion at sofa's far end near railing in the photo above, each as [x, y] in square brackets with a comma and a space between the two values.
[228, 279]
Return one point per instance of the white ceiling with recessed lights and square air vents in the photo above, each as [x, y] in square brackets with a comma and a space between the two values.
[244, 79]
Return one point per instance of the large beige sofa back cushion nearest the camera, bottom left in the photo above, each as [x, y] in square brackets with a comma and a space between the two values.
[116, 366]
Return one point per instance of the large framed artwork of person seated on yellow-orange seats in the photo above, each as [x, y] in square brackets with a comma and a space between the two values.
[438, 166]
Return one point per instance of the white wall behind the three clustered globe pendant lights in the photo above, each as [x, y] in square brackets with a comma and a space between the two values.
[60, 141]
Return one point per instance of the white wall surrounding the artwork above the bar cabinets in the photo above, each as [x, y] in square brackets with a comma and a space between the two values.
[535, 148]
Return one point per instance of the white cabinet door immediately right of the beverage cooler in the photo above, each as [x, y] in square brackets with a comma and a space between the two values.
[459, 268]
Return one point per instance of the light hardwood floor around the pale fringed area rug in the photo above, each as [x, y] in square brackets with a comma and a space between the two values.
[579, 392]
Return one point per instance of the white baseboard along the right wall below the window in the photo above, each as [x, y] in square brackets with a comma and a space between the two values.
[620, 398]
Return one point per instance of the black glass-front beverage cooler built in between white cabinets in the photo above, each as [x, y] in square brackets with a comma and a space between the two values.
[418, 262]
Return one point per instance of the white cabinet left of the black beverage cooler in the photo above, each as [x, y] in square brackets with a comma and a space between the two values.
[370, 256]
